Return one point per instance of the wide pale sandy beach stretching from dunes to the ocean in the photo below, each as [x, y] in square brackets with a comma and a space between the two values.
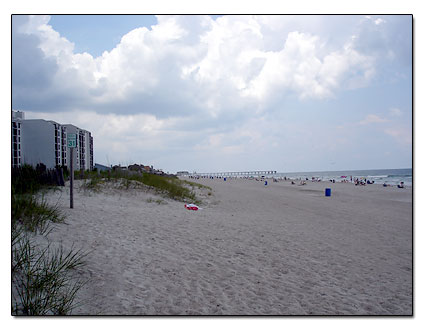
[252, 249]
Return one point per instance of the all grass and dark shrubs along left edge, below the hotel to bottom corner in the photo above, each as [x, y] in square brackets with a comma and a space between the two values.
[42, 280]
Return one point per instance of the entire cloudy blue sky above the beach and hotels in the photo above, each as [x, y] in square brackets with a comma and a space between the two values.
[223, 93]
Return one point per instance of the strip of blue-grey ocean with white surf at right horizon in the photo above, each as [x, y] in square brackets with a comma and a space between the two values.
[379, 176]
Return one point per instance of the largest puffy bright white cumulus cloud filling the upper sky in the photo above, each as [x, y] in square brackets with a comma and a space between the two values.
[186, 64]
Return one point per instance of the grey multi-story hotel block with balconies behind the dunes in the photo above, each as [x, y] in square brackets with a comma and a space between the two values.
[39, 141]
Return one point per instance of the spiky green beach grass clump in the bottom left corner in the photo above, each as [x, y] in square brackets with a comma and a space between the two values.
[42, 277]
